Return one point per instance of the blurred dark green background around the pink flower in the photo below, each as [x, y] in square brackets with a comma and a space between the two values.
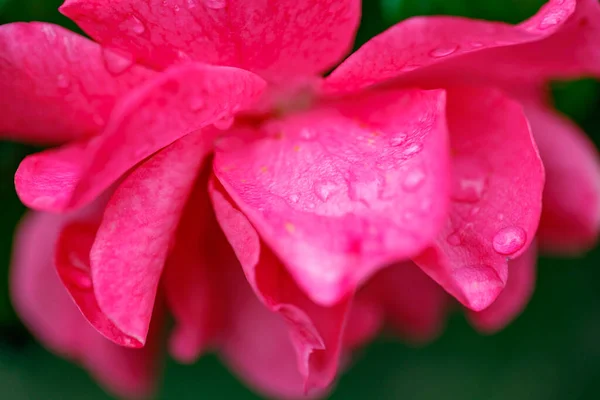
[551, 352]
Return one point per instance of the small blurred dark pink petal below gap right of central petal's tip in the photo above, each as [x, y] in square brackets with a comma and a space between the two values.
[414, 305]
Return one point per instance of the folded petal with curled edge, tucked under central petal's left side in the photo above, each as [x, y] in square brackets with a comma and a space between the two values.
[315, 331]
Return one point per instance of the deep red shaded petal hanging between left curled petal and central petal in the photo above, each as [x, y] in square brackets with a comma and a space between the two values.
[193, 277]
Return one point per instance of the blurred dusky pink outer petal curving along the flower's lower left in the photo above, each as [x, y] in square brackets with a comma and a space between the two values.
[45, 307]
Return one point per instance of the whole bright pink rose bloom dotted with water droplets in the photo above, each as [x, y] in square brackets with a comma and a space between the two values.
[207, 170]
